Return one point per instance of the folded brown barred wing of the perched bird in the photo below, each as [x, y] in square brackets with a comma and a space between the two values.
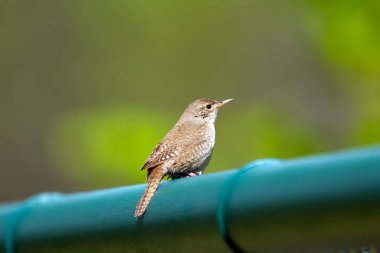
[159, 155]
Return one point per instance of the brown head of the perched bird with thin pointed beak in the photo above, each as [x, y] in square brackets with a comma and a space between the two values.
[203, 110]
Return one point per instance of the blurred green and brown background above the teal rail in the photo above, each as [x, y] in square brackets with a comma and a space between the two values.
[88, 88]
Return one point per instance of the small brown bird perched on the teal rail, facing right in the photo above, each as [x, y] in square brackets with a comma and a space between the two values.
[185, 151]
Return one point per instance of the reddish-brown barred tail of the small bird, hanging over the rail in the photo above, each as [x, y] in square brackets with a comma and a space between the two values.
[154, 179]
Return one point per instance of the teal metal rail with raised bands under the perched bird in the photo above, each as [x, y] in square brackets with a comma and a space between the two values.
[321, 203]
